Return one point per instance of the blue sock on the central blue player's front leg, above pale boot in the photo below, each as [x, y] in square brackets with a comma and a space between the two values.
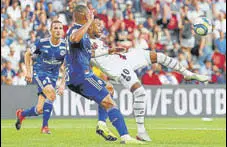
[117, 120]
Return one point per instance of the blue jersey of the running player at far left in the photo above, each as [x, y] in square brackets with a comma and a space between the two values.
[48, 58]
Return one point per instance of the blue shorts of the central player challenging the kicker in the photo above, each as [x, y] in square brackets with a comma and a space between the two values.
[91, 88]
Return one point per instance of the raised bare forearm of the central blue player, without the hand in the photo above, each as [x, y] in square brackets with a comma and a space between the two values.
[77, 35]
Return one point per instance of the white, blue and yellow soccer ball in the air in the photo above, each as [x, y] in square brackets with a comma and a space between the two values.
[202, 26]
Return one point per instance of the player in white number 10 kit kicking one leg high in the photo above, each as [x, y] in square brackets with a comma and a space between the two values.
[123, 71]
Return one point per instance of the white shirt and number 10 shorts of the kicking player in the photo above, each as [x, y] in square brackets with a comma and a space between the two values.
[118, 69]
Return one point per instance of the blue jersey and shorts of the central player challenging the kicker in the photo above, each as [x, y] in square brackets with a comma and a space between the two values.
[79, 76]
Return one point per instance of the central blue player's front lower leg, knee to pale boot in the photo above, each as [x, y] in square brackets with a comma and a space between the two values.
[117, 121]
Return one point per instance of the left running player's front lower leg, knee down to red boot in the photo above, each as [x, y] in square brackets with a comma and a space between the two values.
[47, 107]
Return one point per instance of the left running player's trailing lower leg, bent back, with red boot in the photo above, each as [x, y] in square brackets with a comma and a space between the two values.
[33, 111]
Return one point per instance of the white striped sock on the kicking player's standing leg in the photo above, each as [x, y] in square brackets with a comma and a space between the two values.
[139, 108]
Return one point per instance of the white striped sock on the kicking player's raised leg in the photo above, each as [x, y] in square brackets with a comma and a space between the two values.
[173, 64]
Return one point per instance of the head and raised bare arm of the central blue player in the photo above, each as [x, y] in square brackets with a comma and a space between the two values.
[83, 16]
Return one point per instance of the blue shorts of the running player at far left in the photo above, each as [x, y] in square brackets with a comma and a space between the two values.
[42, 81]
